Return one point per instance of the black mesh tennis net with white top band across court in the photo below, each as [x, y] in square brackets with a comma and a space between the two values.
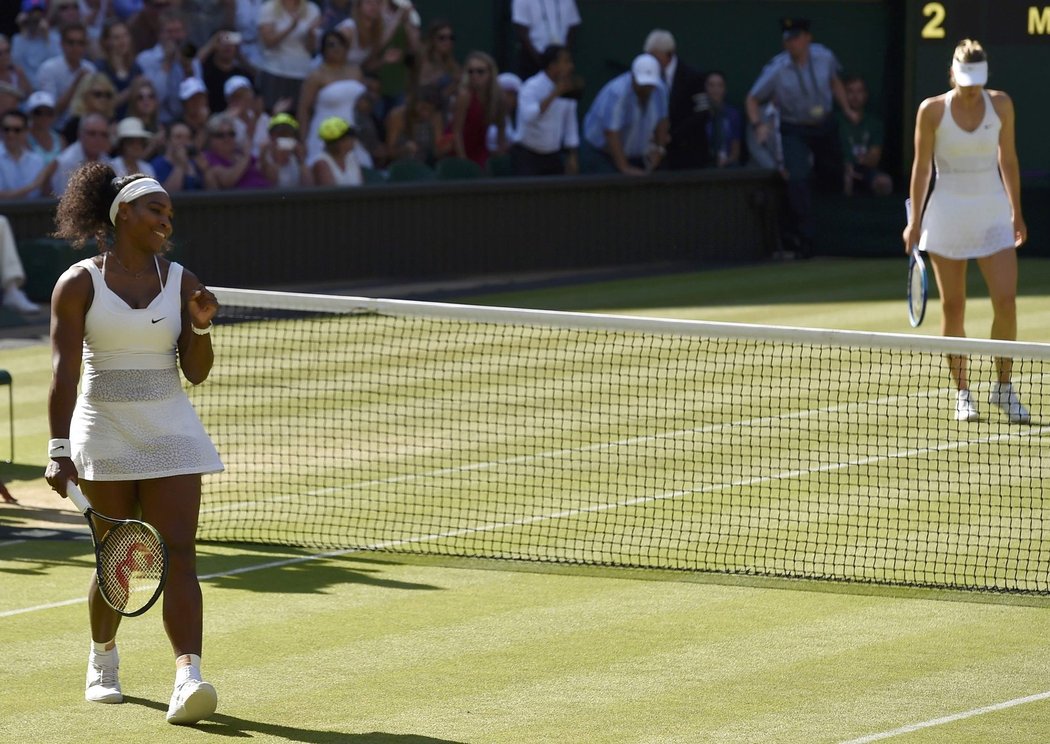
[353, 423]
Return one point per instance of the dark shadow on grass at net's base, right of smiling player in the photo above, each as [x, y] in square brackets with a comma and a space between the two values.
[307, 573]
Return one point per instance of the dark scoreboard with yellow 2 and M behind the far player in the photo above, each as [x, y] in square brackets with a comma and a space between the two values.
[1017, 36]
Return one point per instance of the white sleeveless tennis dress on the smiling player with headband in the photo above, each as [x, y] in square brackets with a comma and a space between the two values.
[133, 419]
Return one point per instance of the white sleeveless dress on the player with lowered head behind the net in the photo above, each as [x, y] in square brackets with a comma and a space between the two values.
[969, 215]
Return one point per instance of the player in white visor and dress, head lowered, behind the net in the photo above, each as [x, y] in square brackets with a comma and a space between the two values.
[975, 212]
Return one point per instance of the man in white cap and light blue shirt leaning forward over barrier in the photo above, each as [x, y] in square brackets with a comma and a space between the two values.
[626, 129]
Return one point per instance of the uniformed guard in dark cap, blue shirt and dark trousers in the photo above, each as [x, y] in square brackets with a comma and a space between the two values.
[804, 82]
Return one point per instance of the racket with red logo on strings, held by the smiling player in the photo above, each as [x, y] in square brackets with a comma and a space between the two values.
[131, 559]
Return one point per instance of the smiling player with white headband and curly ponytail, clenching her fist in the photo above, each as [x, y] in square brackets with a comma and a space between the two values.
[132, 438]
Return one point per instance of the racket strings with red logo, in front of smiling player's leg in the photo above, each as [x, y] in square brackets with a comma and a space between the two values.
[132, 566]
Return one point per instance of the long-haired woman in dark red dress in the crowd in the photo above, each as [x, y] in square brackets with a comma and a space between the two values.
[479, 105]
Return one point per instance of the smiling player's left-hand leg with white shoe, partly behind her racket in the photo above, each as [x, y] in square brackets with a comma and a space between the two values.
[117, 500]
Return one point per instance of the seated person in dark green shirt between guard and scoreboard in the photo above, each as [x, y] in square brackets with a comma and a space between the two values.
[863, 144]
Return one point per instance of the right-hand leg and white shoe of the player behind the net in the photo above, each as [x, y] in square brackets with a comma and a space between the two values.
[1000, 272]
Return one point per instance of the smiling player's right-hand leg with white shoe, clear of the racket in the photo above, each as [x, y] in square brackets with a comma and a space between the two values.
[173, 505]
